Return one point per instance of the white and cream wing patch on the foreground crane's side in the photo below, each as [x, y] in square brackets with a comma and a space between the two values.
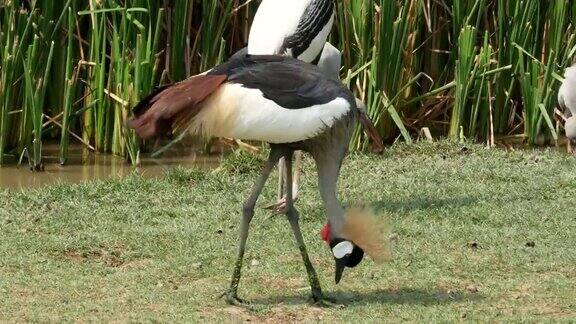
[244, 113]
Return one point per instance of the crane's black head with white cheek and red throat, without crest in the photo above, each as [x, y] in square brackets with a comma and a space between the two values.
[346, 254]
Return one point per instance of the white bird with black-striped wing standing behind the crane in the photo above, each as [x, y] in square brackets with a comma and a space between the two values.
[299, 29]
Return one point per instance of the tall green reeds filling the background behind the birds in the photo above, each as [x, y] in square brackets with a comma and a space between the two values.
[71, 70]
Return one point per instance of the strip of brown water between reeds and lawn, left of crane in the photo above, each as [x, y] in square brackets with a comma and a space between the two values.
[85, 166]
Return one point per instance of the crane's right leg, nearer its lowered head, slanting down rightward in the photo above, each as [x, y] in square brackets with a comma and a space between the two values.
[293, 218]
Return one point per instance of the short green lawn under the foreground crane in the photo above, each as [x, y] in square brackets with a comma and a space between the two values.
[479, 235]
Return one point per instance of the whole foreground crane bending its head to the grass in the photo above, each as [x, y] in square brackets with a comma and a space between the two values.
[292, 106]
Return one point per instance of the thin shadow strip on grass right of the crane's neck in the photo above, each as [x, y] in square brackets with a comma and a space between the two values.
[424, 203]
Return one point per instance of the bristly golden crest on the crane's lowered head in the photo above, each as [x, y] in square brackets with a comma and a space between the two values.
[370, 232]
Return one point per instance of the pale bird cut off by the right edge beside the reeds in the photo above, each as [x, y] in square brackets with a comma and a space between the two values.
[567, 100]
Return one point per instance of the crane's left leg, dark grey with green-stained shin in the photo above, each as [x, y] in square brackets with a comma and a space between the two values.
[247, 214]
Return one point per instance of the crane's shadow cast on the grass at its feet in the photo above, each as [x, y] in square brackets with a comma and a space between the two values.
[402, 296]
